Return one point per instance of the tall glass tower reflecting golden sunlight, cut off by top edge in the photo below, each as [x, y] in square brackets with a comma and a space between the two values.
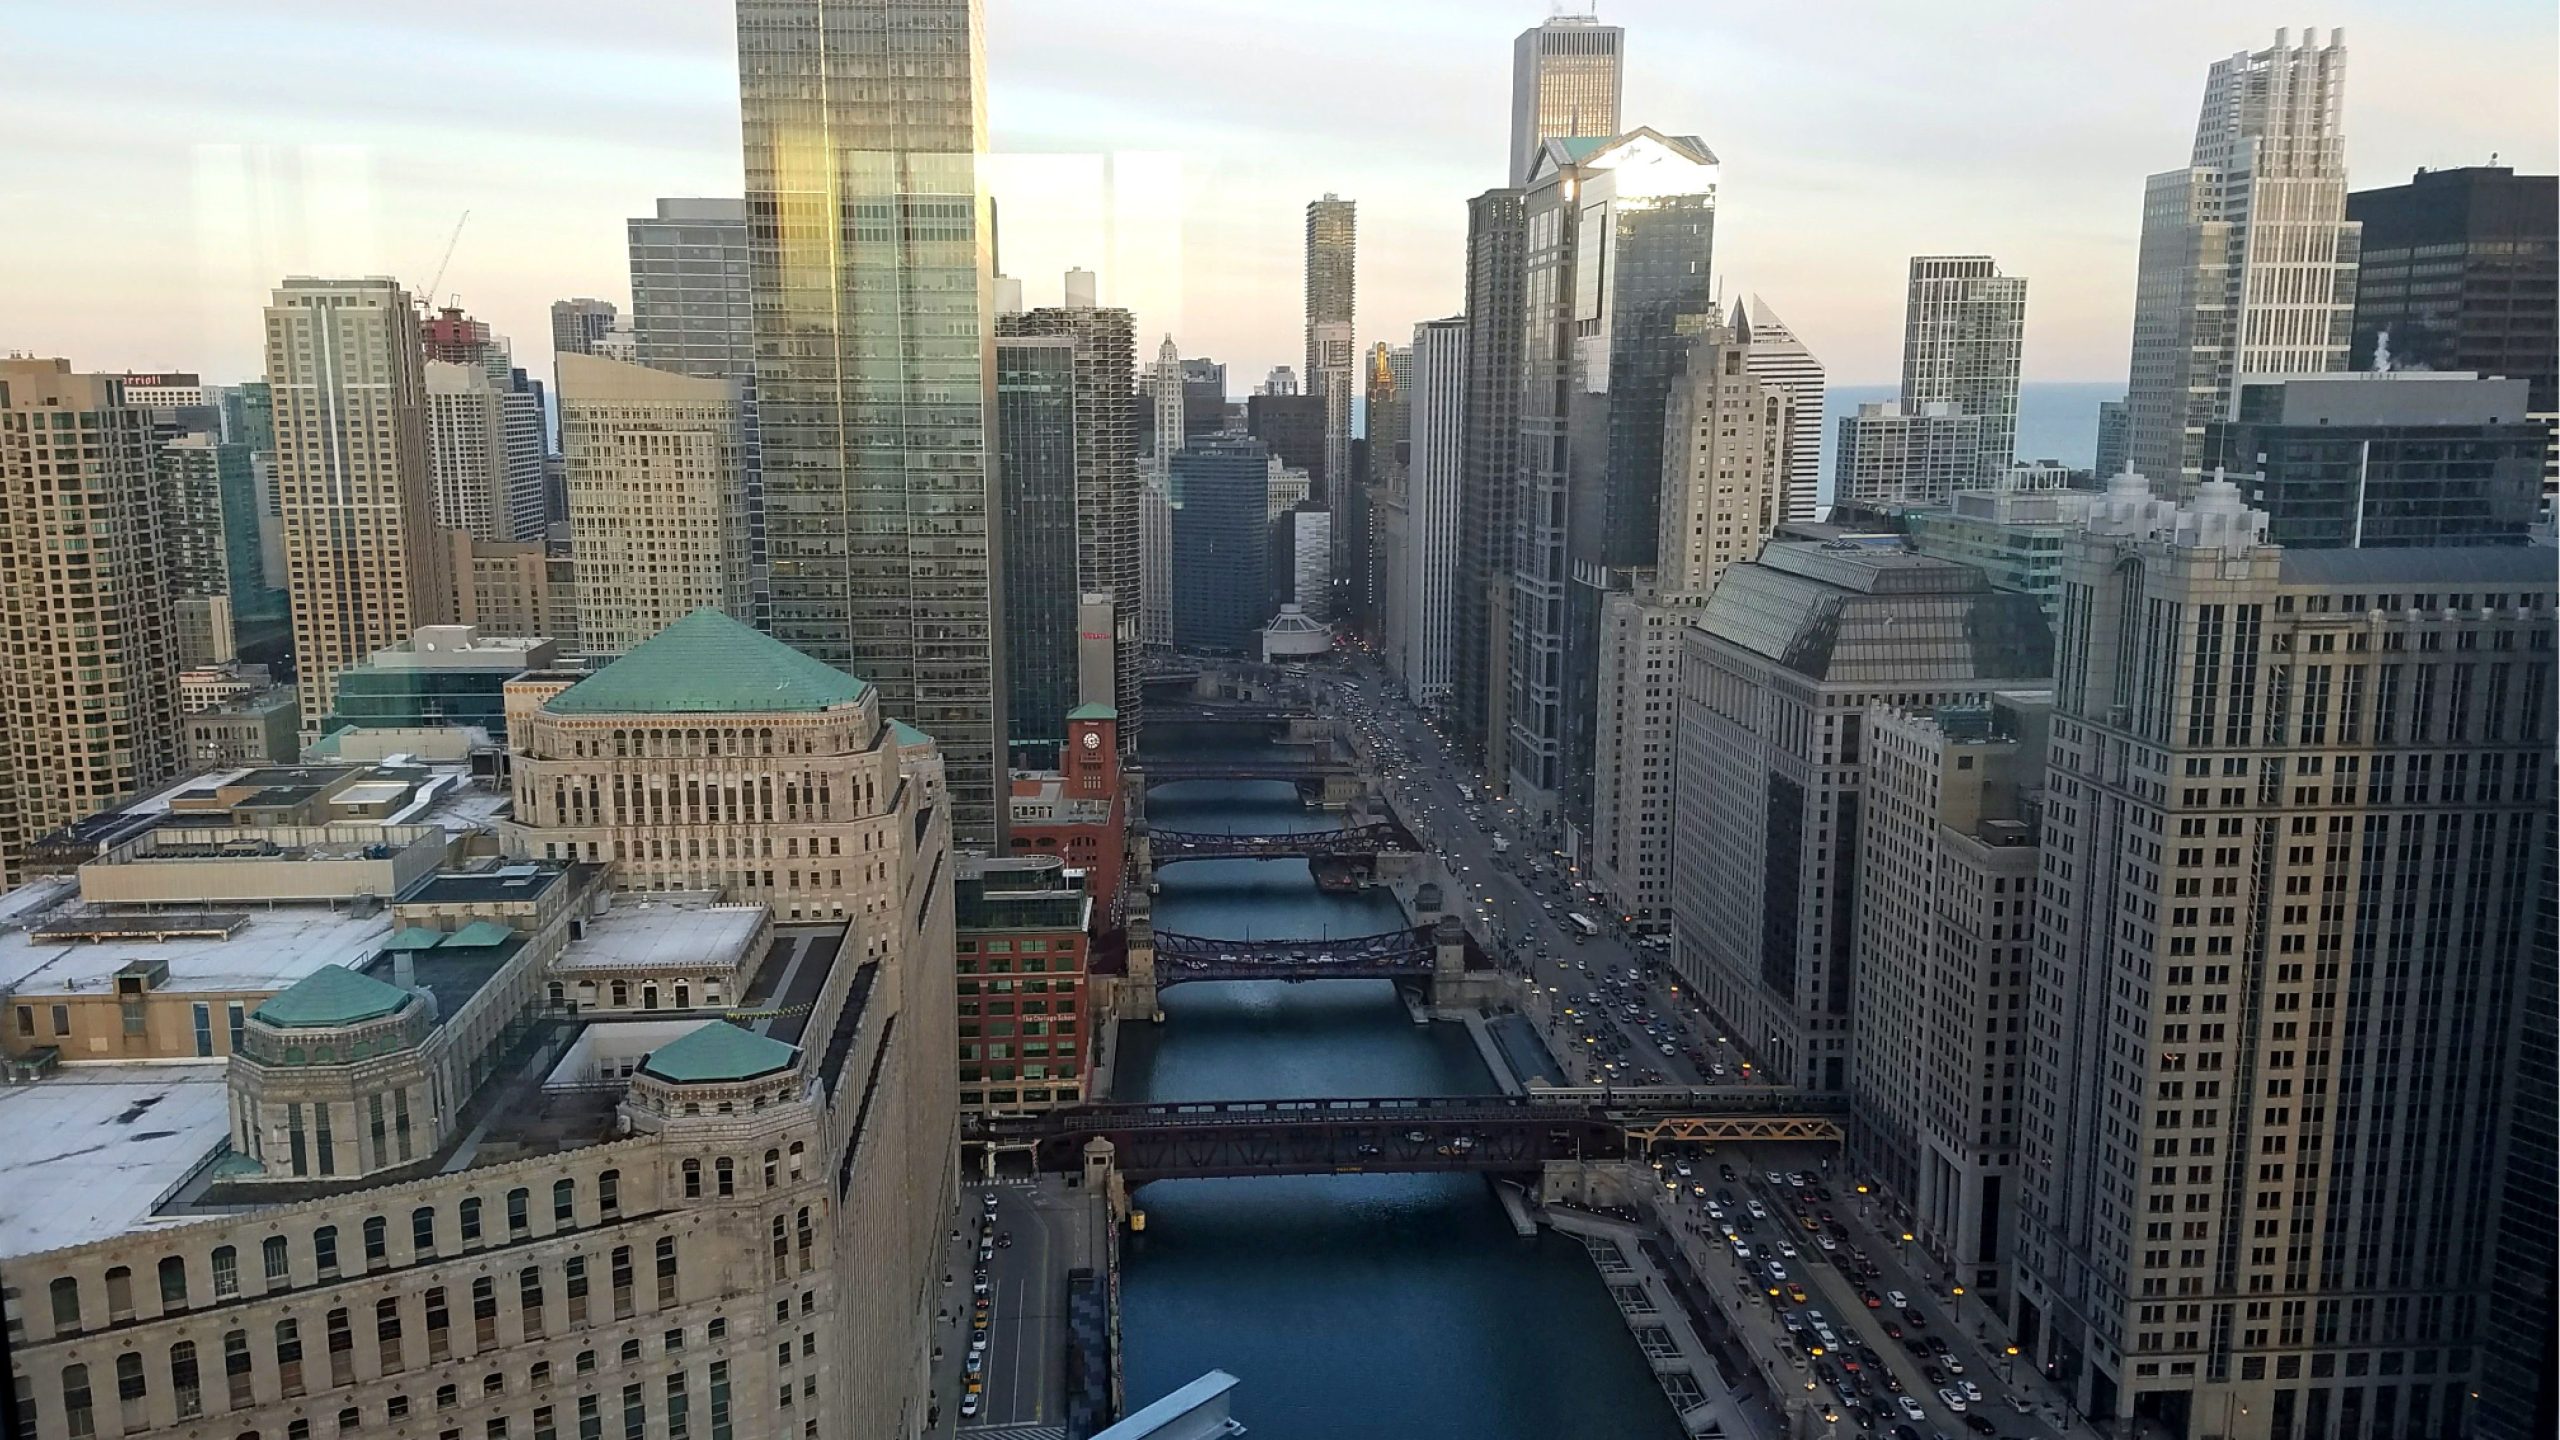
[869, 260]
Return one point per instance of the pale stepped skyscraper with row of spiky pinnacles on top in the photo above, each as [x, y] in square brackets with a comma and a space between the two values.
[2249, 258]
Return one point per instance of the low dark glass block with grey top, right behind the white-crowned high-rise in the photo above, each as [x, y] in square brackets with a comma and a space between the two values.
[2385, 460]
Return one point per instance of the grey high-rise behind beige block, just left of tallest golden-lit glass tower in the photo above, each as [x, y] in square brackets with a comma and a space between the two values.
[692, 304]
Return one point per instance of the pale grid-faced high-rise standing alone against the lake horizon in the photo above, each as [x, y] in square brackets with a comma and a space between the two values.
[1962, 337]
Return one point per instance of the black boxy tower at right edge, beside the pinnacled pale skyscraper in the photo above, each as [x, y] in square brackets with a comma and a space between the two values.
[2464, 273]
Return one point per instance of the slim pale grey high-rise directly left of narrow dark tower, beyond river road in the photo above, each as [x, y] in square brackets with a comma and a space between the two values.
[1435, 473]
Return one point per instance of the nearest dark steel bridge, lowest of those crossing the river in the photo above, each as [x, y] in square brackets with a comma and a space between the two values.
[1407, 1134]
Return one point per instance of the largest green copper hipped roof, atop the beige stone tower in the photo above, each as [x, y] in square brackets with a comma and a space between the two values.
[710, 665]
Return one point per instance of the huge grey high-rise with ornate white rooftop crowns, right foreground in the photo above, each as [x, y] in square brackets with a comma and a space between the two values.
[2280, 960]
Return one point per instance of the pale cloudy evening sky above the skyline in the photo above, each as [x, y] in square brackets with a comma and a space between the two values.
[175, 160]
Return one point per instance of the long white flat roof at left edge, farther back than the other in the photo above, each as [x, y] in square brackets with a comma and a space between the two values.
[278, 947]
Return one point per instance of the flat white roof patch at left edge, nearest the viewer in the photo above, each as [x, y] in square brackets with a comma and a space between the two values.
[93, 1149]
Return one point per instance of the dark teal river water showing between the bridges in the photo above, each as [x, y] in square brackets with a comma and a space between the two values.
[1348, 1305]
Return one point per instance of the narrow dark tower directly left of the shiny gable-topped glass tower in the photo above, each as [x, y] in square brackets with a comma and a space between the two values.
[1489, 457]
